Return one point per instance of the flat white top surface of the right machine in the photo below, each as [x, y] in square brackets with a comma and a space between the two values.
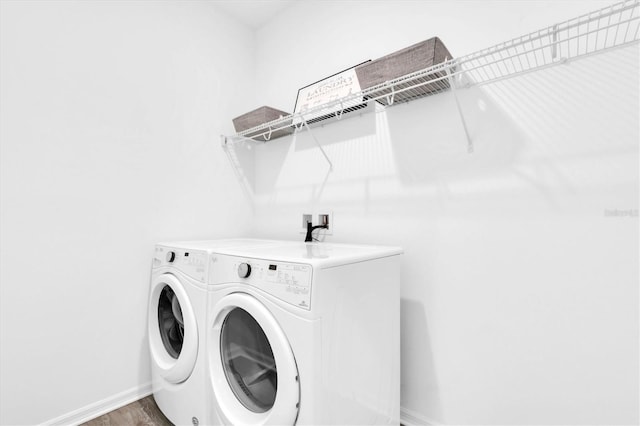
[321, 255]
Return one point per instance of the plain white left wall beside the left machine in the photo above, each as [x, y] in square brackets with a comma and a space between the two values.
[110, 119]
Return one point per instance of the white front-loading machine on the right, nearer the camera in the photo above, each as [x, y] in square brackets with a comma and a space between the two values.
[304, 333]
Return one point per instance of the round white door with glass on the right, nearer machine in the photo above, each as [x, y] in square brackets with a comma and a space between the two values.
[253, 370]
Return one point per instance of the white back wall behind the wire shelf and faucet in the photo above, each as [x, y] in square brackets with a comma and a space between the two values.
[520, 295]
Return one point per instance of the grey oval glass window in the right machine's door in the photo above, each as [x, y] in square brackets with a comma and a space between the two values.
[248, 361]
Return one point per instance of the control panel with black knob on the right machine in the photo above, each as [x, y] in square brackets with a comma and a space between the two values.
[290, 282]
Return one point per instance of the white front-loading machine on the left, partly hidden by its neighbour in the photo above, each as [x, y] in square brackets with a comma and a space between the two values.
[176, 324]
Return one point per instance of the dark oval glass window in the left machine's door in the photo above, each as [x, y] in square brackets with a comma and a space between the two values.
[170, 322]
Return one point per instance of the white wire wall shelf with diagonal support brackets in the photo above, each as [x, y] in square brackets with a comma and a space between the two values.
[604, 29]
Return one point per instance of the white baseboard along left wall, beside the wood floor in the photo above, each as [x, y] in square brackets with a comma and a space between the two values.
[99, 408]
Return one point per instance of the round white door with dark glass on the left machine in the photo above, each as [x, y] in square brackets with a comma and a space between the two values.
[173, 331]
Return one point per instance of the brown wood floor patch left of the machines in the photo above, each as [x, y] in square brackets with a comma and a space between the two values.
[144, 412]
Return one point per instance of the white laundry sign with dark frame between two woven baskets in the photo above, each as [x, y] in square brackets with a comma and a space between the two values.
[311, 98]
